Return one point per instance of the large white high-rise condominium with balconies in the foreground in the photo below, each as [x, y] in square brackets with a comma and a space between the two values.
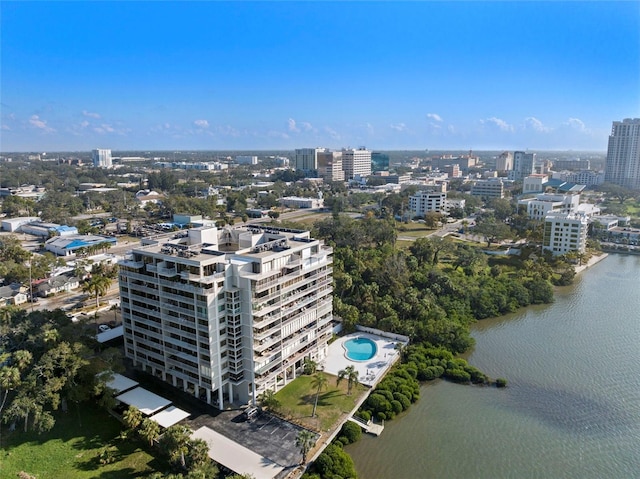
[226, 314]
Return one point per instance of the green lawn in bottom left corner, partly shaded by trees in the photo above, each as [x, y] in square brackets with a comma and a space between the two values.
[71, 449]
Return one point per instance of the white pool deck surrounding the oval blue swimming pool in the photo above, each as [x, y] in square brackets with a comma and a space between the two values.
[370, 371]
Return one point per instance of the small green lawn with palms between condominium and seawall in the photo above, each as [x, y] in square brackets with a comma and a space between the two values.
[296, 402]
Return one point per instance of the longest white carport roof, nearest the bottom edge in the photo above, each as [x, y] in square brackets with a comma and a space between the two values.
[236, 457]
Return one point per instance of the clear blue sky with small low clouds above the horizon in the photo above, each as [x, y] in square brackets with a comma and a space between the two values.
[266, 75]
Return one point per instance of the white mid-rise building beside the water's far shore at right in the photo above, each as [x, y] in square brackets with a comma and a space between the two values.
[565, 232]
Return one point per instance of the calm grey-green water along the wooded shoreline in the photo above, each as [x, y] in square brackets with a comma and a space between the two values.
[572, 407]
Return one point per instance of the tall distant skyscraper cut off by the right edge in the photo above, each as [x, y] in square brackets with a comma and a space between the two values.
[623, 154]
